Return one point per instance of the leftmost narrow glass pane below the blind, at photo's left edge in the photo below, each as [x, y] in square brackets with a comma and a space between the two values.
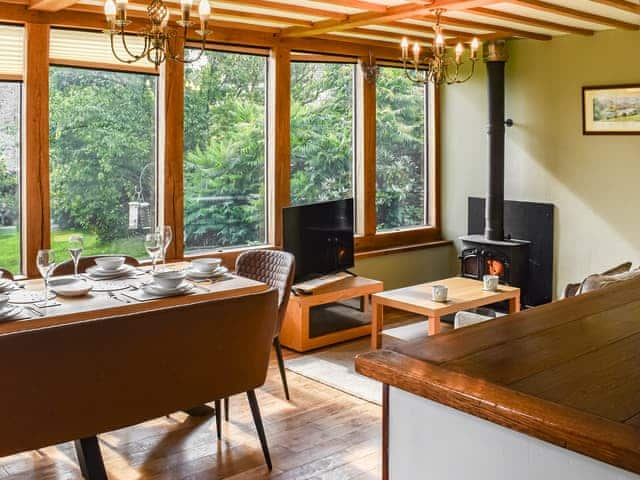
[10, 175]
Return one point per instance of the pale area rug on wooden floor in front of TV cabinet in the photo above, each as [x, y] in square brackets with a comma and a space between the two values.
[335, 367]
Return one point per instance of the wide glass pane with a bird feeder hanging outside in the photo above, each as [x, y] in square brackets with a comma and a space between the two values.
[102, 159]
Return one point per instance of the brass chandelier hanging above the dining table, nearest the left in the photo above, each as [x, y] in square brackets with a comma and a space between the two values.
[157, 38]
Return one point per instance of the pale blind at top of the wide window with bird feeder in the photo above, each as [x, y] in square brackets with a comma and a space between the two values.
[93, 50]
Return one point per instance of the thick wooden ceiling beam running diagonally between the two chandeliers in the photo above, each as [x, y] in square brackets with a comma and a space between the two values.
[397, 12]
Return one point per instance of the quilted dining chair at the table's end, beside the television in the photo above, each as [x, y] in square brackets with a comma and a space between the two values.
[277, 269]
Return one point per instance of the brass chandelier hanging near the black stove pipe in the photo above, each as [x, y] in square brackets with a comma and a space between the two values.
[438, 67]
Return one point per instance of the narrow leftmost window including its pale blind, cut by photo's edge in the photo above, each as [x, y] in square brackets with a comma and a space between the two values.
[11, 68]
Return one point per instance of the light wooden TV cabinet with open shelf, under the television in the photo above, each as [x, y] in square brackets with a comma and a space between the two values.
[295, 333]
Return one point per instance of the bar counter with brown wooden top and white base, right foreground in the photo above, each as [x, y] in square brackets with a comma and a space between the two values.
[552, 391]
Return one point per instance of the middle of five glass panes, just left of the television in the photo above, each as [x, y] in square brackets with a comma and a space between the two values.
[224, 161]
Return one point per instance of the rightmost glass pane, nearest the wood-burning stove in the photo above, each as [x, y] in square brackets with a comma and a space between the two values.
[400, 151]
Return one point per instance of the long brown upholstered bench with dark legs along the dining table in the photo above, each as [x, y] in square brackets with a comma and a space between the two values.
[130, 368]
